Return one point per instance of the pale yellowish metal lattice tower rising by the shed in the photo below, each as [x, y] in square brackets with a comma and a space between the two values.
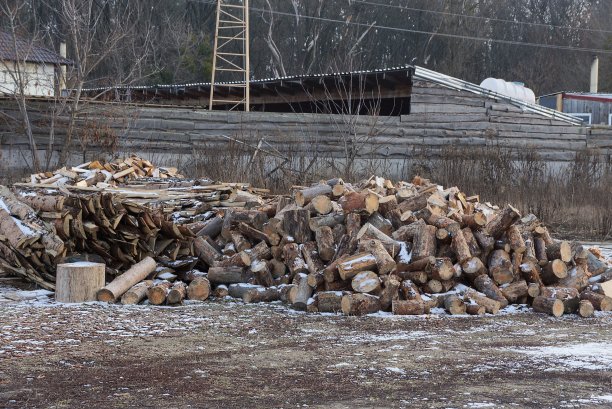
[231, 55]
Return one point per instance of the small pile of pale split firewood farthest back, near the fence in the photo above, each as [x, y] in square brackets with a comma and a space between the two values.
[100, 174]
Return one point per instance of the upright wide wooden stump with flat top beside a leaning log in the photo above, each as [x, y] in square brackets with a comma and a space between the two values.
[78, 282]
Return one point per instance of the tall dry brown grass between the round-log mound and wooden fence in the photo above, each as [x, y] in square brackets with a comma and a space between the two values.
[575, 199]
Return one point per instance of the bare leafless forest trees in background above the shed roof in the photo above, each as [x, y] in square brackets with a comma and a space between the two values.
[170, 41]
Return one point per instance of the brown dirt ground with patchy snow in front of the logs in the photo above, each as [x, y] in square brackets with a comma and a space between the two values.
[224, 354]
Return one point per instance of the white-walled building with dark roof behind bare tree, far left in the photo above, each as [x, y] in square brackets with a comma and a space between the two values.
[24, 65]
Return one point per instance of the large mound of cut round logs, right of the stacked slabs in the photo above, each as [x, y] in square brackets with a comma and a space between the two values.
[379, 246]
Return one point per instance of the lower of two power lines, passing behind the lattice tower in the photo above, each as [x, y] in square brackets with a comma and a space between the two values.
[408, 30]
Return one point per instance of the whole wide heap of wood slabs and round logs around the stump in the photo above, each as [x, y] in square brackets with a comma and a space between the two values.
[408, 248]
